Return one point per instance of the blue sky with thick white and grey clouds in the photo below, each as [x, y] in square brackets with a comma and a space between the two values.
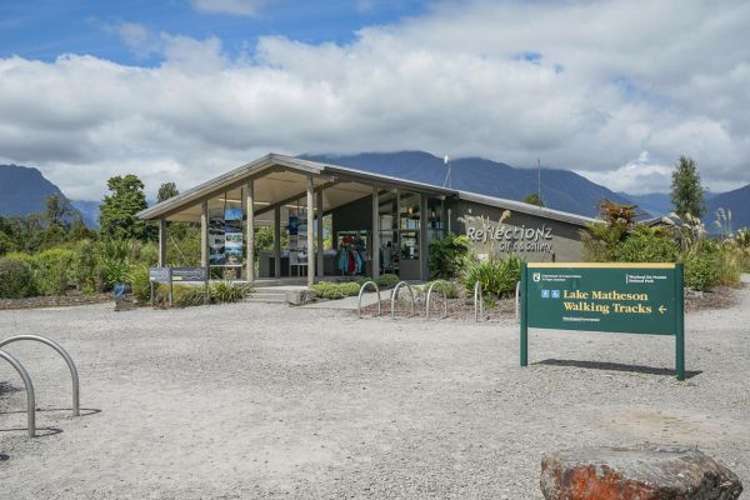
[186, 89]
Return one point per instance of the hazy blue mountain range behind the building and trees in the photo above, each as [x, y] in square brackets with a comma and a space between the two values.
[24, 190]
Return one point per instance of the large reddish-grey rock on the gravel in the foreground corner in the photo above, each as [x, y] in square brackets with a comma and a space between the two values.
[641, 473]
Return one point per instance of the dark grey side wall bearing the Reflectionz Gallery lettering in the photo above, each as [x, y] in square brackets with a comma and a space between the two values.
[565, 242]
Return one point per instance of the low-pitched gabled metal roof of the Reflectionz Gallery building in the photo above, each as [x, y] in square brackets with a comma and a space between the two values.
[236, 176]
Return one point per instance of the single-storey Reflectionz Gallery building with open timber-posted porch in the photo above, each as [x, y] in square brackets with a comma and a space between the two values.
[364, 223]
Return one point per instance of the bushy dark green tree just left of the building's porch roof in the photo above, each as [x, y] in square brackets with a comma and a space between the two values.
[117, 214]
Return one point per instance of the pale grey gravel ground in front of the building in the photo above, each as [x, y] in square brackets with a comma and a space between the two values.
[254, 400]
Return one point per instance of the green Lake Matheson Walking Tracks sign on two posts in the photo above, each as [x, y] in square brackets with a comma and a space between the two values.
[621, 298]
